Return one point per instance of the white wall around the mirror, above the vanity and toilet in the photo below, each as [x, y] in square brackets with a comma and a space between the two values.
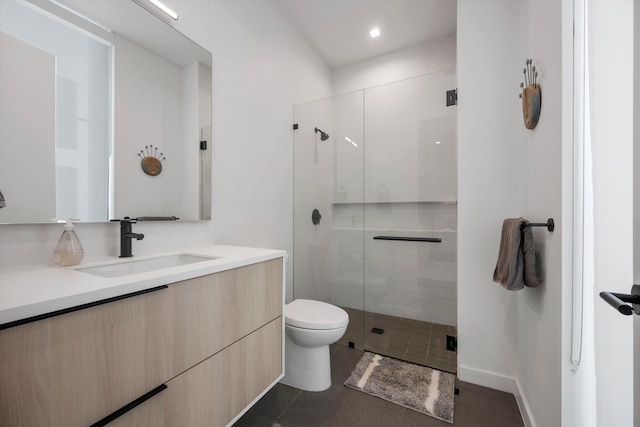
[261, 68]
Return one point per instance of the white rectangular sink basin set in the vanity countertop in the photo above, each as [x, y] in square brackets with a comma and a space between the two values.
[144, 265]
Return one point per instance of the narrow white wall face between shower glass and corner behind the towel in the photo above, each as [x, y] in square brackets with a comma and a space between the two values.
[489, 185]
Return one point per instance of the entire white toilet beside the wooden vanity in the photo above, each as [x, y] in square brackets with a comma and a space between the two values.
[310, 327]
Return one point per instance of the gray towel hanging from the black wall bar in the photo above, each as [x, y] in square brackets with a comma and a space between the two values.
[516, 266]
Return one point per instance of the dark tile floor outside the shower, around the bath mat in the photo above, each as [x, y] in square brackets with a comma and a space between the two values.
[339, 406]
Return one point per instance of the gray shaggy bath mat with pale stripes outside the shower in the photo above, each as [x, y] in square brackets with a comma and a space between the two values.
[416, 387]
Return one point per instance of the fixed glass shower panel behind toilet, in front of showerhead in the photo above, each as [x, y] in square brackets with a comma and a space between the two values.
[328, 215]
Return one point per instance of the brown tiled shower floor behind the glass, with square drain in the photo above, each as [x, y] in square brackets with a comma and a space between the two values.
[415, 341]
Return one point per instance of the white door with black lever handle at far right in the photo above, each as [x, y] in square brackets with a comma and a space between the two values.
[612, 43]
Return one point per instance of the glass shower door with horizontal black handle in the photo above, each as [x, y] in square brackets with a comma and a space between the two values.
[410, 199]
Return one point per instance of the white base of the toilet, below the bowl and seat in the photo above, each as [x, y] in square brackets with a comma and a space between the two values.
[307, 368]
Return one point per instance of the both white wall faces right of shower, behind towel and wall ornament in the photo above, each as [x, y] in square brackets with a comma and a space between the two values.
[509, 340]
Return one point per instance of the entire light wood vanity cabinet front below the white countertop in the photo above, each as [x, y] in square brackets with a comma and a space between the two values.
[215, 341]
